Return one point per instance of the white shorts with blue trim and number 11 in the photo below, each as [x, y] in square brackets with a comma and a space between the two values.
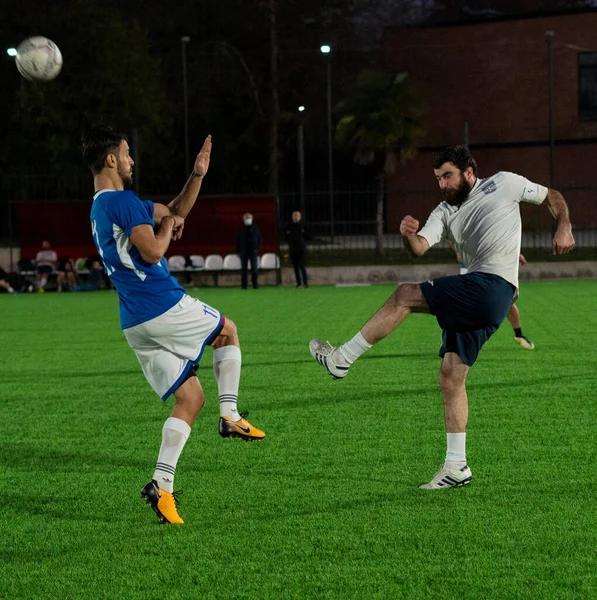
[169, 345]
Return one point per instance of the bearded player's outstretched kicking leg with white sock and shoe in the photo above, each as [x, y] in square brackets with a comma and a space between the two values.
[405, 299]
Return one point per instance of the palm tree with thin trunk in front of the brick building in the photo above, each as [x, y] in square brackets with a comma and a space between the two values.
[380, 122]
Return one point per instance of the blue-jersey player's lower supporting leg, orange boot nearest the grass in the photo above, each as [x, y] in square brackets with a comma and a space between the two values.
[159, 492]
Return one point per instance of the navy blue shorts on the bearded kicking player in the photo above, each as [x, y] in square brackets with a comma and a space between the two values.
[469, 309]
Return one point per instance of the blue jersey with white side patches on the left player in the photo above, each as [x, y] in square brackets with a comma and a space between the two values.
[145, 290]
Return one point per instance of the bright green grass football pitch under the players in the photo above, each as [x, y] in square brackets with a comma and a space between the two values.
[328, 505]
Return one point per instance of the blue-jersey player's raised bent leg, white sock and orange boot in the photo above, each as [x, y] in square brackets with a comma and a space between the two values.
[227, 368]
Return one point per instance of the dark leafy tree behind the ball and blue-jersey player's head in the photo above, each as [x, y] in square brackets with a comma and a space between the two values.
[110, 78]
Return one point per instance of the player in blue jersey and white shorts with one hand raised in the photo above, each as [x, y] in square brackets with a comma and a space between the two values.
[167, 329]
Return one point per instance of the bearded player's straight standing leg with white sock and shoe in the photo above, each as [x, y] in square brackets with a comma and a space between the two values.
[452, 379]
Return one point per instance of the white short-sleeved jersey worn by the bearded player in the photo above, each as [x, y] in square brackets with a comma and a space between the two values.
[485, 230]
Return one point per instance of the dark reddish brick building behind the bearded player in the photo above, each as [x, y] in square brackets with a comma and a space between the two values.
[488, 83]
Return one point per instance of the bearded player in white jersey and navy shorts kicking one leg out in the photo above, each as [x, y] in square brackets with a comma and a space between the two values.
[481, 219]
